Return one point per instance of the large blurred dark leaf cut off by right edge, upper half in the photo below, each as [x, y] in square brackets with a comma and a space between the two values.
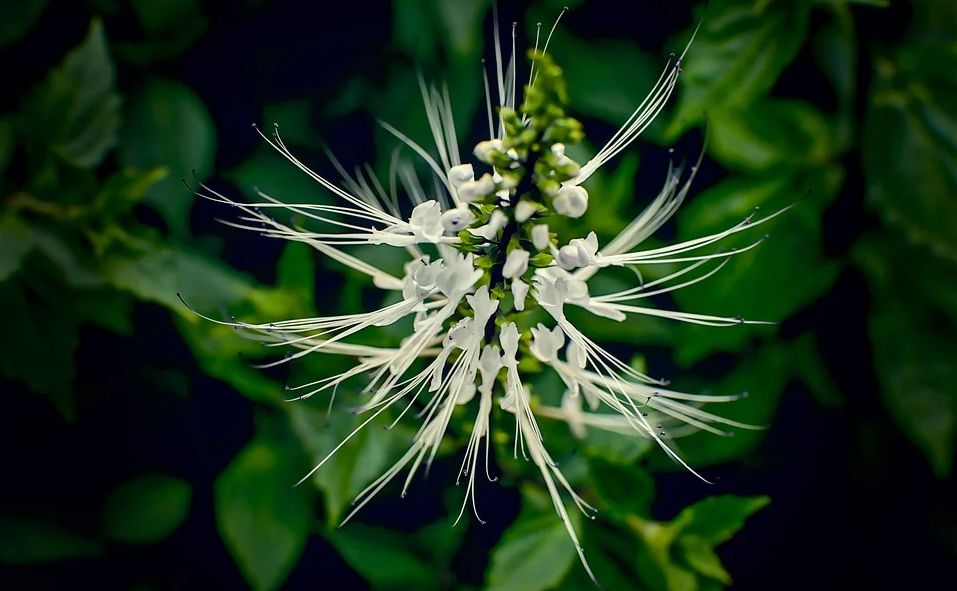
[910, 145]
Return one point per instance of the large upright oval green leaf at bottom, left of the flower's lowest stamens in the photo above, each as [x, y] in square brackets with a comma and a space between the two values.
[263, 522]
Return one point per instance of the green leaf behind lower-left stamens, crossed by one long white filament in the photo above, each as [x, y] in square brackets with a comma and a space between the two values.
[357, 463]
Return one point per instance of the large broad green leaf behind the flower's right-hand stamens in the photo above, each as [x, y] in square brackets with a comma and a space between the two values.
[769, 282]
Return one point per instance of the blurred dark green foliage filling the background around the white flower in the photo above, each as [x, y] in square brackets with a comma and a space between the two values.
[95, 225]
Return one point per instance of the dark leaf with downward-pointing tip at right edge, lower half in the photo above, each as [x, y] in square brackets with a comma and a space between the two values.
[913, 354]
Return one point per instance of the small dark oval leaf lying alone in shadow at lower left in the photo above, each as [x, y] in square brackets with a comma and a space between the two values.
[146, 509]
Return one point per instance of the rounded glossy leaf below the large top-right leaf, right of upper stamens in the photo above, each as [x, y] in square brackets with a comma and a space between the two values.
[772, 133]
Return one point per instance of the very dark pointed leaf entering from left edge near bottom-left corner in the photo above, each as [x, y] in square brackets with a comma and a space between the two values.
[25, 541]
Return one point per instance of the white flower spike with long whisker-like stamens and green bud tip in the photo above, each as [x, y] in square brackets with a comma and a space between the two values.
[482, 258]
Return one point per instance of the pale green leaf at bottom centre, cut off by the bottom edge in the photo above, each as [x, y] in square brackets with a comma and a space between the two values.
[534, 554]
